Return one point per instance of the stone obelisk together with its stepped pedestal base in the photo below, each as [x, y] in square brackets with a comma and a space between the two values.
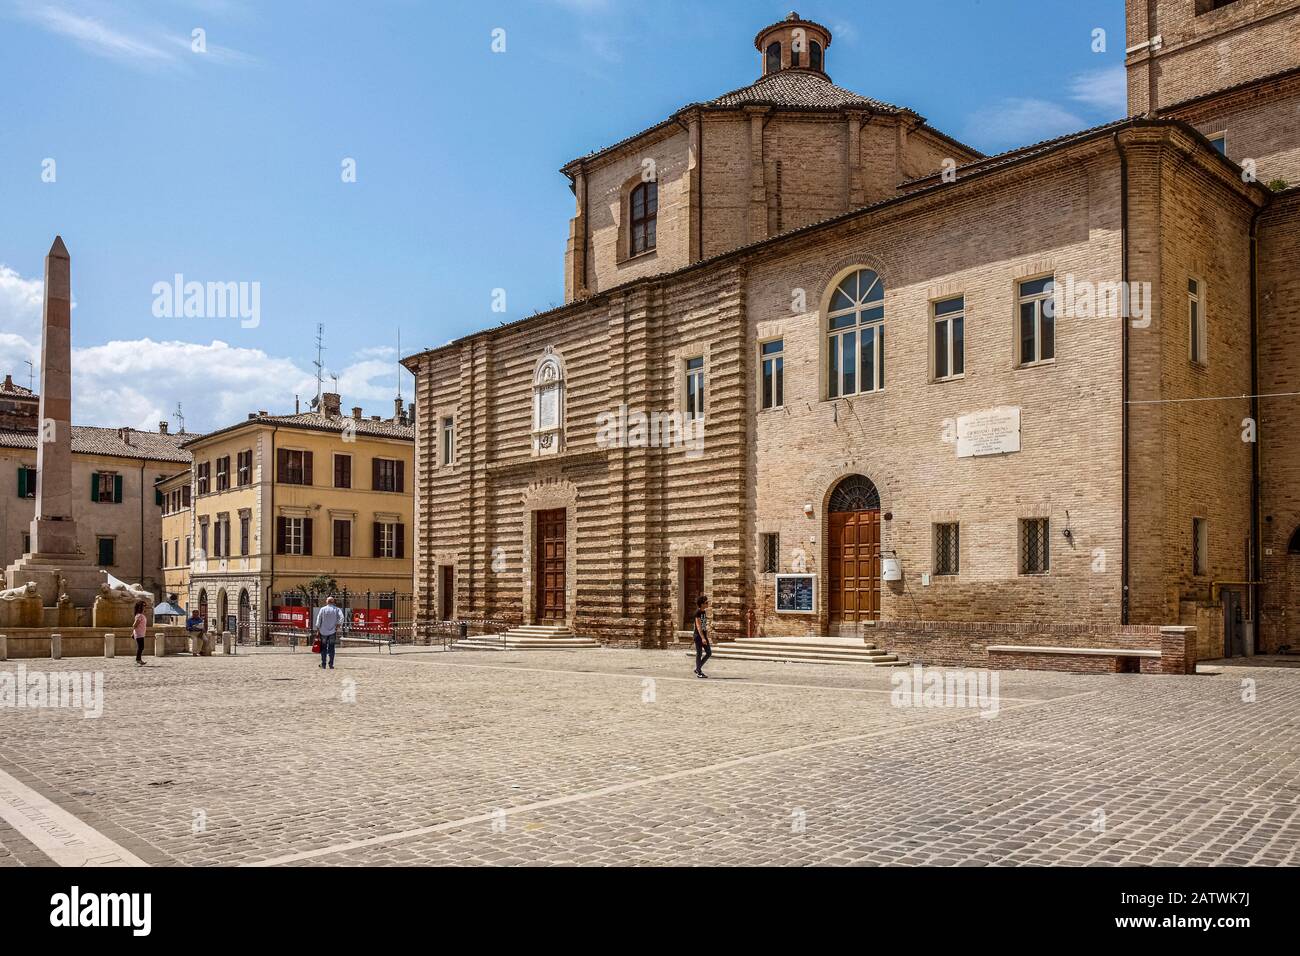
[55, 565]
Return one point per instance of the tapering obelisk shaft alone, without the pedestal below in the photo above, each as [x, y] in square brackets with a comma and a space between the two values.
[54, 531]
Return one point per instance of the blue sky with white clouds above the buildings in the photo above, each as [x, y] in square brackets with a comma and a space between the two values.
[227, 166]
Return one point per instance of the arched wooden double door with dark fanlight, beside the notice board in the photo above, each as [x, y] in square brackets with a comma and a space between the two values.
[853, 552]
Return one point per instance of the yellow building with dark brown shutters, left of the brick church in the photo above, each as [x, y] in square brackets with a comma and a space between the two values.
[280, 500]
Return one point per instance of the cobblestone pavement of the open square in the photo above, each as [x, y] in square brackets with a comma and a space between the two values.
[623, 758]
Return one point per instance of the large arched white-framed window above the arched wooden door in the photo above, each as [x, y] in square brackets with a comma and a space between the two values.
[856, 336]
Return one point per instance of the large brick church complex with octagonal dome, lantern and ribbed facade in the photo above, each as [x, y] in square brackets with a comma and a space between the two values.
[847, 375]
